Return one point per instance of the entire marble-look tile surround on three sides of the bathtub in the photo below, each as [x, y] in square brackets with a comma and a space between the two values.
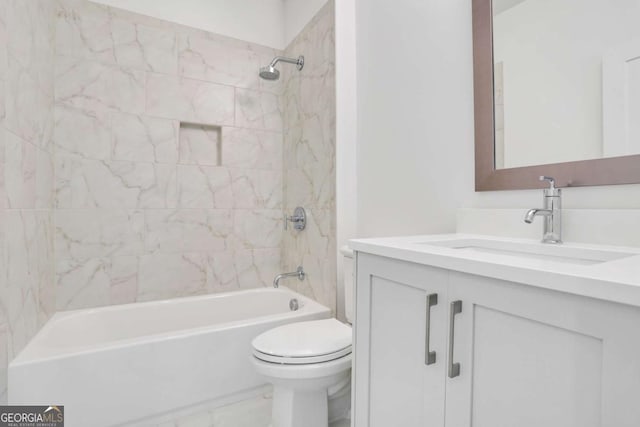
[144, 160]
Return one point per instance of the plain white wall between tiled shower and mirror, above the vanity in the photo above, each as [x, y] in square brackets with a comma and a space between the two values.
[415, 123]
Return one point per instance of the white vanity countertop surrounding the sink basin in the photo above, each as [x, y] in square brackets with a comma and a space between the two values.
[616, 281]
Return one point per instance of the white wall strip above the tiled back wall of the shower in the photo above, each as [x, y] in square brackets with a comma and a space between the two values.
[256, 21]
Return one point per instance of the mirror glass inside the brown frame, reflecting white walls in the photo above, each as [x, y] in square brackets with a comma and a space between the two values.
[567, 80]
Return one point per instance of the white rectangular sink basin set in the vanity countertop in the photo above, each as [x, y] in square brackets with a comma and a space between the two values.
[556, 253]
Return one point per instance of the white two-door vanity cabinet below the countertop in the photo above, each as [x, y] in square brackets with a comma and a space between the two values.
[527, 356]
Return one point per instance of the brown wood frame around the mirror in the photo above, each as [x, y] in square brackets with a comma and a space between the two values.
[614, 170]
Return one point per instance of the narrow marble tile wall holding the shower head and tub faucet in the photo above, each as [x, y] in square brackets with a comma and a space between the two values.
[309, 160]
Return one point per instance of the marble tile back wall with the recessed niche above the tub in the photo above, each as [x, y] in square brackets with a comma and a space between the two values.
[168, 160]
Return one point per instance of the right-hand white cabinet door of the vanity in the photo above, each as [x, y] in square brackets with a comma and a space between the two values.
[531, 357]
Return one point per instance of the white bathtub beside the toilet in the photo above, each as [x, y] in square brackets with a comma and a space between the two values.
[125, 364]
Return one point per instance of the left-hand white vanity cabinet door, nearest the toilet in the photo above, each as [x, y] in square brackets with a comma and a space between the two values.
[395, 383]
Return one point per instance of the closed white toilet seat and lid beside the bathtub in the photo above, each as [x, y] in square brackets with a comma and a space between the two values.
[304, 342]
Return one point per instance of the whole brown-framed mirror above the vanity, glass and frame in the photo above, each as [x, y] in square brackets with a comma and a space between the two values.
[557, 92]
